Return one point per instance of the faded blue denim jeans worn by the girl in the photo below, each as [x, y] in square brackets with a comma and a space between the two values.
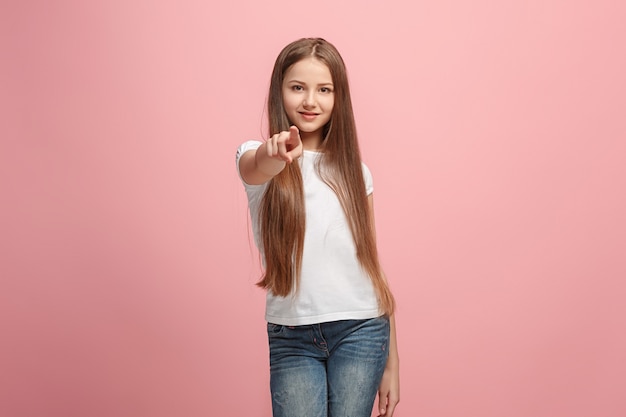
[329, 369]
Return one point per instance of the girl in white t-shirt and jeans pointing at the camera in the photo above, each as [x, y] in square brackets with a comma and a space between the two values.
[329, 309]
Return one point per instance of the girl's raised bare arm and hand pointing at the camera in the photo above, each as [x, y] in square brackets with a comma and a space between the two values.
[260, 166]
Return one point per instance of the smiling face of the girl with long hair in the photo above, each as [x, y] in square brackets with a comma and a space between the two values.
[308, 97]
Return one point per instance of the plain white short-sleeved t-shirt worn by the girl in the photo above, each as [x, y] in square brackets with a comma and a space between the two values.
[333, 285]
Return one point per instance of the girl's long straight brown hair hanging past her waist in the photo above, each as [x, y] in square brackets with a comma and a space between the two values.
[282, 213]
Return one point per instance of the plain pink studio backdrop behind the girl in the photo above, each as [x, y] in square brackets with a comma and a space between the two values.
[496, 134]
